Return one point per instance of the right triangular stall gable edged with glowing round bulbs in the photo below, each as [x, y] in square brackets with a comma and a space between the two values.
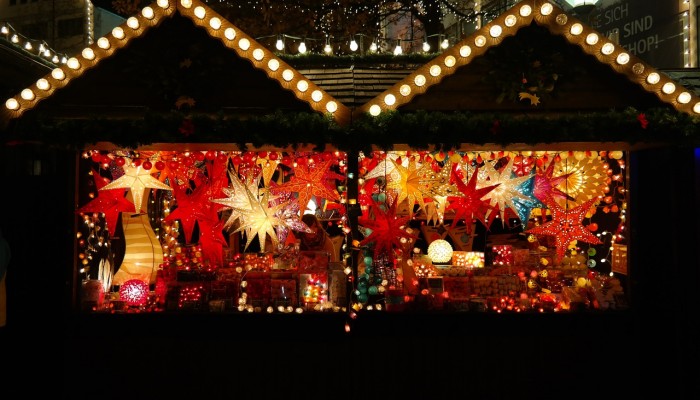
[537, 58]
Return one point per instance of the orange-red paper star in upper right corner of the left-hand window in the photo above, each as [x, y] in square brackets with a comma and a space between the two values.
[309, 182]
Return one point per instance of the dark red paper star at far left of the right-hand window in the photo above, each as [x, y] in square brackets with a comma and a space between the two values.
[387, 229]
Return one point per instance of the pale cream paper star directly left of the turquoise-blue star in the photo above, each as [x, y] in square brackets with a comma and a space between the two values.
[509, 187]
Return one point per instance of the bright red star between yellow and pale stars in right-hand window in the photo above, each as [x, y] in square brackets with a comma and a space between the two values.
[469, 205]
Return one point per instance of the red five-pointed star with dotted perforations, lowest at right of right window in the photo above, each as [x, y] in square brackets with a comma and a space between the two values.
[565, 225]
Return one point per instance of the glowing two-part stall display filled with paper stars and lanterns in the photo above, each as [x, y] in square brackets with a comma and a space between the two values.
[230, 231]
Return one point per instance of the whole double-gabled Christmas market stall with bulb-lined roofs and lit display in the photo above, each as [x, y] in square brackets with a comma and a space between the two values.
[492, 179]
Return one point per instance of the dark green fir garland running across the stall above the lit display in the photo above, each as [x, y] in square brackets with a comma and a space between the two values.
[418, 130]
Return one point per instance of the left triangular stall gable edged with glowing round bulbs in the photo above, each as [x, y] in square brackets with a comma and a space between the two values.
[174, 56]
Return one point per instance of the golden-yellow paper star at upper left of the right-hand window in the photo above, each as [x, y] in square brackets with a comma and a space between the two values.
[413, 184]
